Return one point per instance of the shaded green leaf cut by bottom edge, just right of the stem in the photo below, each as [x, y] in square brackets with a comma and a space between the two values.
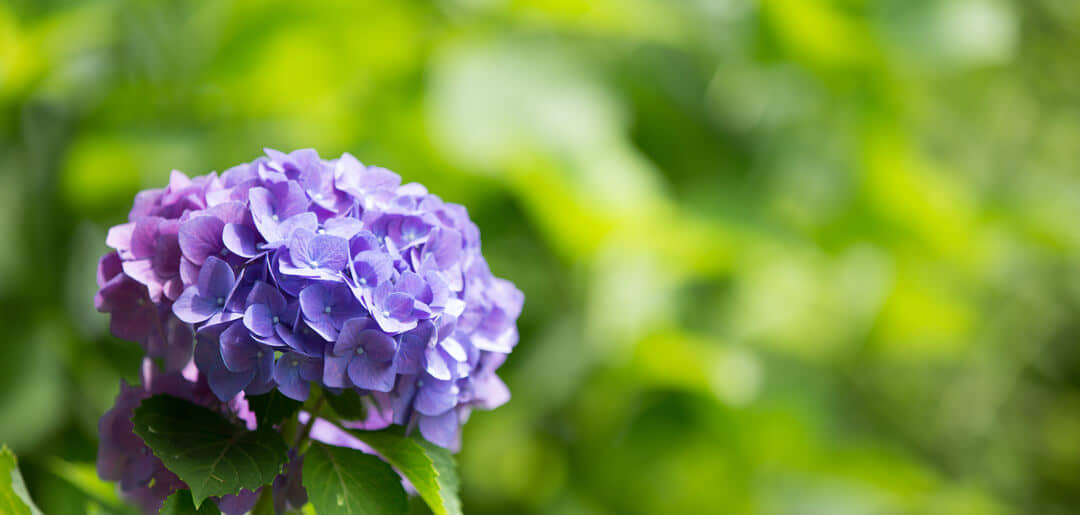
[343, 481]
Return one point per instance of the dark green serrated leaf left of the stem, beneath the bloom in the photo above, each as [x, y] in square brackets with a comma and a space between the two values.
[213, 456]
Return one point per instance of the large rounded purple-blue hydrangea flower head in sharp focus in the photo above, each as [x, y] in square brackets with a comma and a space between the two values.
[294, 270]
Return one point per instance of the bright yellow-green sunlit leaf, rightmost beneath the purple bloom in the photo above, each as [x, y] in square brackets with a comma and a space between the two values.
[429, 468]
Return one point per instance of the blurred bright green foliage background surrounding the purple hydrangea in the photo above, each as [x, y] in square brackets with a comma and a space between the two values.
[780, 256]
